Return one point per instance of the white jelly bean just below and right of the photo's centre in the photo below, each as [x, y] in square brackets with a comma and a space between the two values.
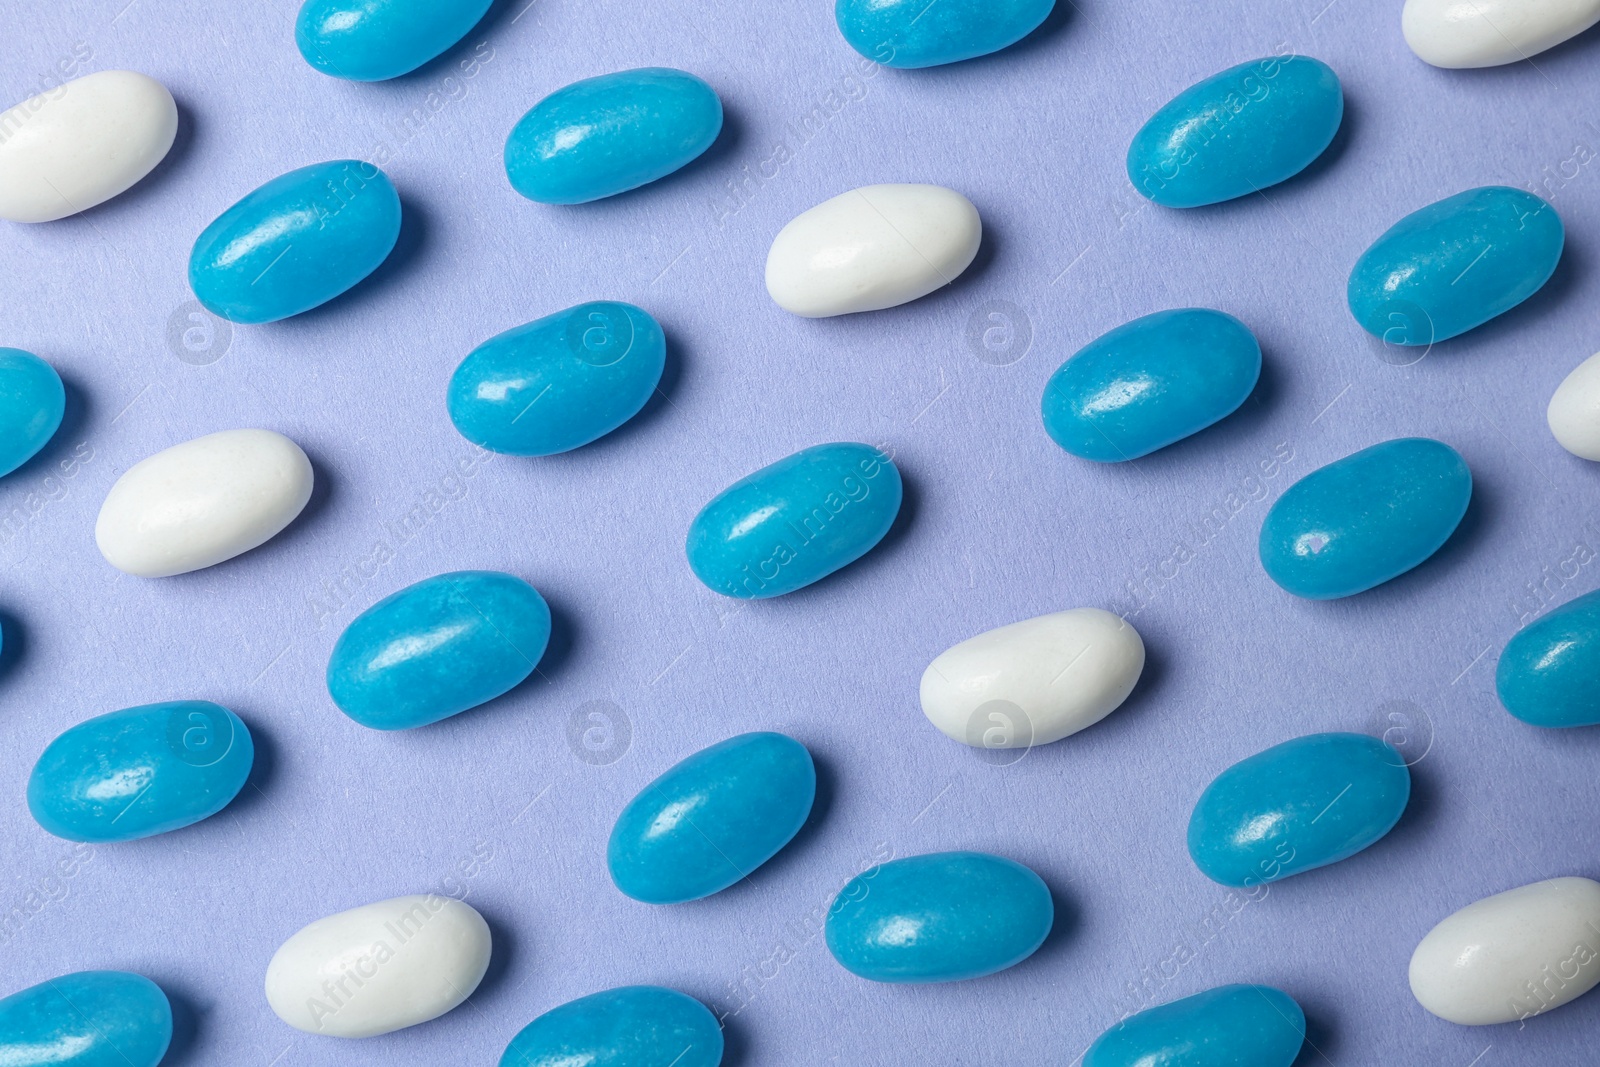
[1033, 682]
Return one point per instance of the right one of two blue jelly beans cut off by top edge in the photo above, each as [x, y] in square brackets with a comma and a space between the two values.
[921, 34]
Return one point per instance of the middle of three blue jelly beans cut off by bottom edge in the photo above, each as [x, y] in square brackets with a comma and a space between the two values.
[634, 1026]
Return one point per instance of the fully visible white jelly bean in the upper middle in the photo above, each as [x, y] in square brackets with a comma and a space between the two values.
[873, 249]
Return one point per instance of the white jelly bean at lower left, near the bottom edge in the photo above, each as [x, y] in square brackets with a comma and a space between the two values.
[380, 967]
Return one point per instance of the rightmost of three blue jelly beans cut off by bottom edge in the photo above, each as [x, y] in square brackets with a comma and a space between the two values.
[1230, 1026]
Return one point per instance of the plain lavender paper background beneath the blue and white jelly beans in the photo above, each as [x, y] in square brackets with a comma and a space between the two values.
[999, 526]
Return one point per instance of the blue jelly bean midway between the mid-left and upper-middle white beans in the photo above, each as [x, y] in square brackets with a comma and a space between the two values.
[559, 382]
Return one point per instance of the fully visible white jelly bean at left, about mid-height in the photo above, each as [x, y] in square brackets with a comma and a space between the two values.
[204, 502]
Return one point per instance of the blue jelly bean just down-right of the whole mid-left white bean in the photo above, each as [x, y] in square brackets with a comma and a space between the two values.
[438, 649]
